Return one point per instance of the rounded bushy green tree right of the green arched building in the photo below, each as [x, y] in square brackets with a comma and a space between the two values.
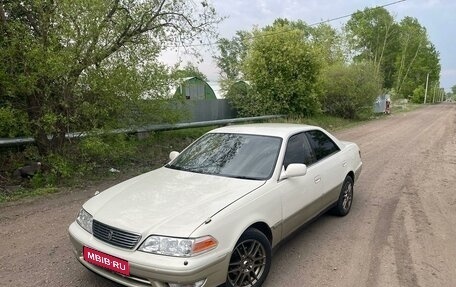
[283, 71]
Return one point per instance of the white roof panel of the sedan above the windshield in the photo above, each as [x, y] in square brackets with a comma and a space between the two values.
[282, 130]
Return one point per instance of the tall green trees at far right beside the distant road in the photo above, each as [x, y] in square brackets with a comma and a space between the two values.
[402, 52]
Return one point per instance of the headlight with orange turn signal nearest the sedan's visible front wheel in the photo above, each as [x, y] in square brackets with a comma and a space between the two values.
[180, 247]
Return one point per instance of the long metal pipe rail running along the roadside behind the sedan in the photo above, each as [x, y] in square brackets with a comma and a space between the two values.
[4, 142]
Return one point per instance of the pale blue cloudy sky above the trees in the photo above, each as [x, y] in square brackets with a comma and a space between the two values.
[437, 16]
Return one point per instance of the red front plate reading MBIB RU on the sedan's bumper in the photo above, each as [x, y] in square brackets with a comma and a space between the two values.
[106, 261]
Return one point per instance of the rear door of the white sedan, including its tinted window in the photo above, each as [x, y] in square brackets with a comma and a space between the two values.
[329, 163]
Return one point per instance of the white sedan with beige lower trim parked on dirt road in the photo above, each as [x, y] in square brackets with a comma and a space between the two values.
[212, 215]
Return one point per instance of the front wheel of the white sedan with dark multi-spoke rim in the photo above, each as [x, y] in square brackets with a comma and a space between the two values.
[250, 260]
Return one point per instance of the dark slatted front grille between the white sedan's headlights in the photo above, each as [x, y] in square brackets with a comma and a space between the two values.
[115, 236]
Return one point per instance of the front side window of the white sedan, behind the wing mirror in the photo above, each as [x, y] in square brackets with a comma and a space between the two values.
[298, 151]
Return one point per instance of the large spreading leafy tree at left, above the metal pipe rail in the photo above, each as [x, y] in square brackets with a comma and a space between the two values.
[63, 61]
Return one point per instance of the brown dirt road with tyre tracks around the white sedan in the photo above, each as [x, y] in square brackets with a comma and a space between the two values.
[401, 230]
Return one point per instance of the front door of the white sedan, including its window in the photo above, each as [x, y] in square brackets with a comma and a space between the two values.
[300, 196]
